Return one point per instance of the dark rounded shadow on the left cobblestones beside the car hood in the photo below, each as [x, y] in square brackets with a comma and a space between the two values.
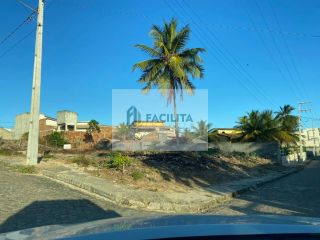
[42, 213]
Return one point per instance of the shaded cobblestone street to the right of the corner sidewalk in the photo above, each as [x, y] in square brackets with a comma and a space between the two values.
[297, 194]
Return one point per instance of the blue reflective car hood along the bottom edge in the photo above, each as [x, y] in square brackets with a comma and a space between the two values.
[253, 224]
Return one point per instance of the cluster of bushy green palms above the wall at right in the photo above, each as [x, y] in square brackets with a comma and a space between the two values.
[264, 126]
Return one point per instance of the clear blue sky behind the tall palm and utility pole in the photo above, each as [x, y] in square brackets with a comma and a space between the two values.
[88, 51]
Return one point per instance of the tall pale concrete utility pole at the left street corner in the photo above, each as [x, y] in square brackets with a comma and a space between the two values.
[33, 138]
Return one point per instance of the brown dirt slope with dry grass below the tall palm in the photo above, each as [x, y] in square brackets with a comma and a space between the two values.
[176, 172]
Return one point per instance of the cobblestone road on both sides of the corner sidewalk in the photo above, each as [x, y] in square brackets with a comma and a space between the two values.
[29, 201]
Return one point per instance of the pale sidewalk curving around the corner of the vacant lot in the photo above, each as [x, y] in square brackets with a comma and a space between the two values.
[193, 201]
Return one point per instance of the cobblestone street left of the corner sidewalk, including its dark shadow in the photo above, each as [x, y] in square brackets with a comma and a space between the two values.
[29, 201]
